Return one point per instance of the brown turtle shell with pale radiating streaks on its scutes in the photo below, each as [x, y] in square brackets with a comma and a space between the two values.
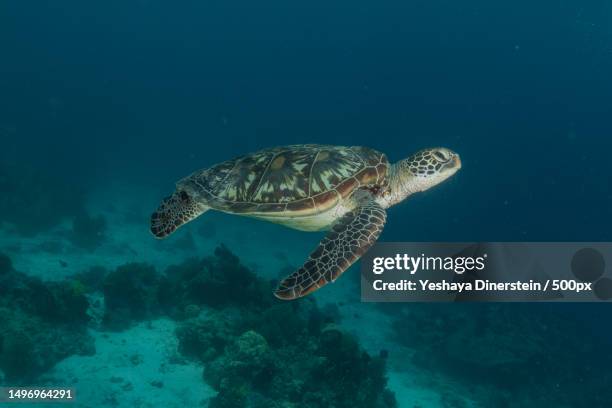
[298, 178]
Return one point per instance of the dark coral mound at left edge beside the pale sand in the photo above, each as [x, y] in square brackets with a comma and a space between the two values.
[42, 323]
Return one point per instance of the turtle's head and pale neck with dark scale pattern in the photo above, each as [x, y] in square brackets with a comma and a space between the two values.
[423, 170]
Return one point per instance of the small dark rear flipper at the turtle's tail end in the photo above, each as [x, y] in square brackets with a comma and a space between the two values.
[173, 212]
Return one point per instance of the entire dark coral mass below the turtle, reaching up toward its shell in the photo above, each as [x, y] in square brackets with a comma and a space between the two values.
[261, 352]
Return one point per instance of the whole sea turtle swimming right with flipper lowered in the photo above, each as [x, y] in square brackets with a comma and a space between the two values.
[309, 187]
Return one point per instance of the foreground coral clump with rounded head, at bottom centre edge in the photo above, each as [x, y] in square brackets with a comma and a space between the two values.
[317, 371]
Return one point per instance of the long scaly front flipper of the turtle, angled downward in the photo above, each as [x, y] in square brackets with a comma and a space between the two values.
[348, 240]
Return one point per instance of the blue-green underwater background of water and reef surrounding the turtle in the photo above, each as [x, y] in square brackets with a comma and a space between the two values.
[103, 106]
